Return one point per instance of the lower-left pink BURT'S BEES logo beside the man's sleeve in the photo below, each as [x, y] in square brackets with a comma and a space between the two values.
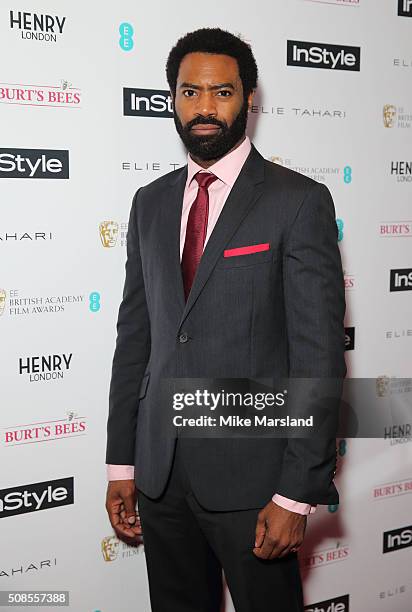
[44, 431]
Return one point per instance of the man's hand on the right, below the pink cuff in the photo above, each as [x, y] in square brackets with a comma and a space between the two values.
[278, 531]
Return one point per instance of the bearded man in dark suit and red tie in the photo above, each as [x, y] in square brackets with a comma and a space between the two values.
[233, 271]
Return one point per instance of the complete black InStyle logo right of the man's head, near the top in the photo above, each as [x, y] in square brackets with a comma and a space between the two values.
[323, 55]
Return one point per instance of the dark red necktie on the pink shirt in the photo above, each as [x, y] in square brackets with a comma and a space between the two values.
[196, 230]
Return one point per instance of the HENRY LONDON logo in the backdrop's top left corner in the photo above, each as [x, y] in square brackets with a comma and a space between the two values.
[35, 26]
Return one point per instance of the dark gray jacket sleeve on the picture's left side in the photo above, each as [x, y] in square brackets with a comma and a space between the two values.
[131, 354]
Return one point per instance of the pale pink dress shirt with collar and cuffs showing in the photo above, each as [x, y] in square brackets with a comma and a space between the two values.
[227, 170]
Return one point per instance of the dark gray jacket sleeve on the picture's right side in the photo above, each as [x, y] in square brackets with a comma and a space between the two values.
[315, 308]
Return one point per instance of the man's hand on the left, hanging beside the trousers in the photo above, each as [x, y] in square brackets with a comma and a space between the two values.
[121, 507]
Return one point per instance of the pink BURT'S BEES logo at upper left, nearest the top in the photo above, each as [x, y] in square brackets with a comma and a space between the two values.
[63, 95]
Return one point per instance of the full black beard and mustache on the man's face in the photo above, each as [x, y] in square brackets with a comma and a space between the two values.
[216, 146]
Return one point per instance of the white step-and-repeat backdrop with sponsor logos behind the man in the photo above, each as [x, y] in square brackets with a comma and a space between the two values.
[334, 103]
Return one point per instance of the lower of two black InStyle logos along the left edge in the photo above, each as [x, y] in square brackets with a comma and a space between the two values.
[36, 496]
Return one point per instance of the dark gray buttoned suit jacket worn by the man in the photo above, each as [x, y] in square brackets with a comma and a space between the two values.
[273, 313]
